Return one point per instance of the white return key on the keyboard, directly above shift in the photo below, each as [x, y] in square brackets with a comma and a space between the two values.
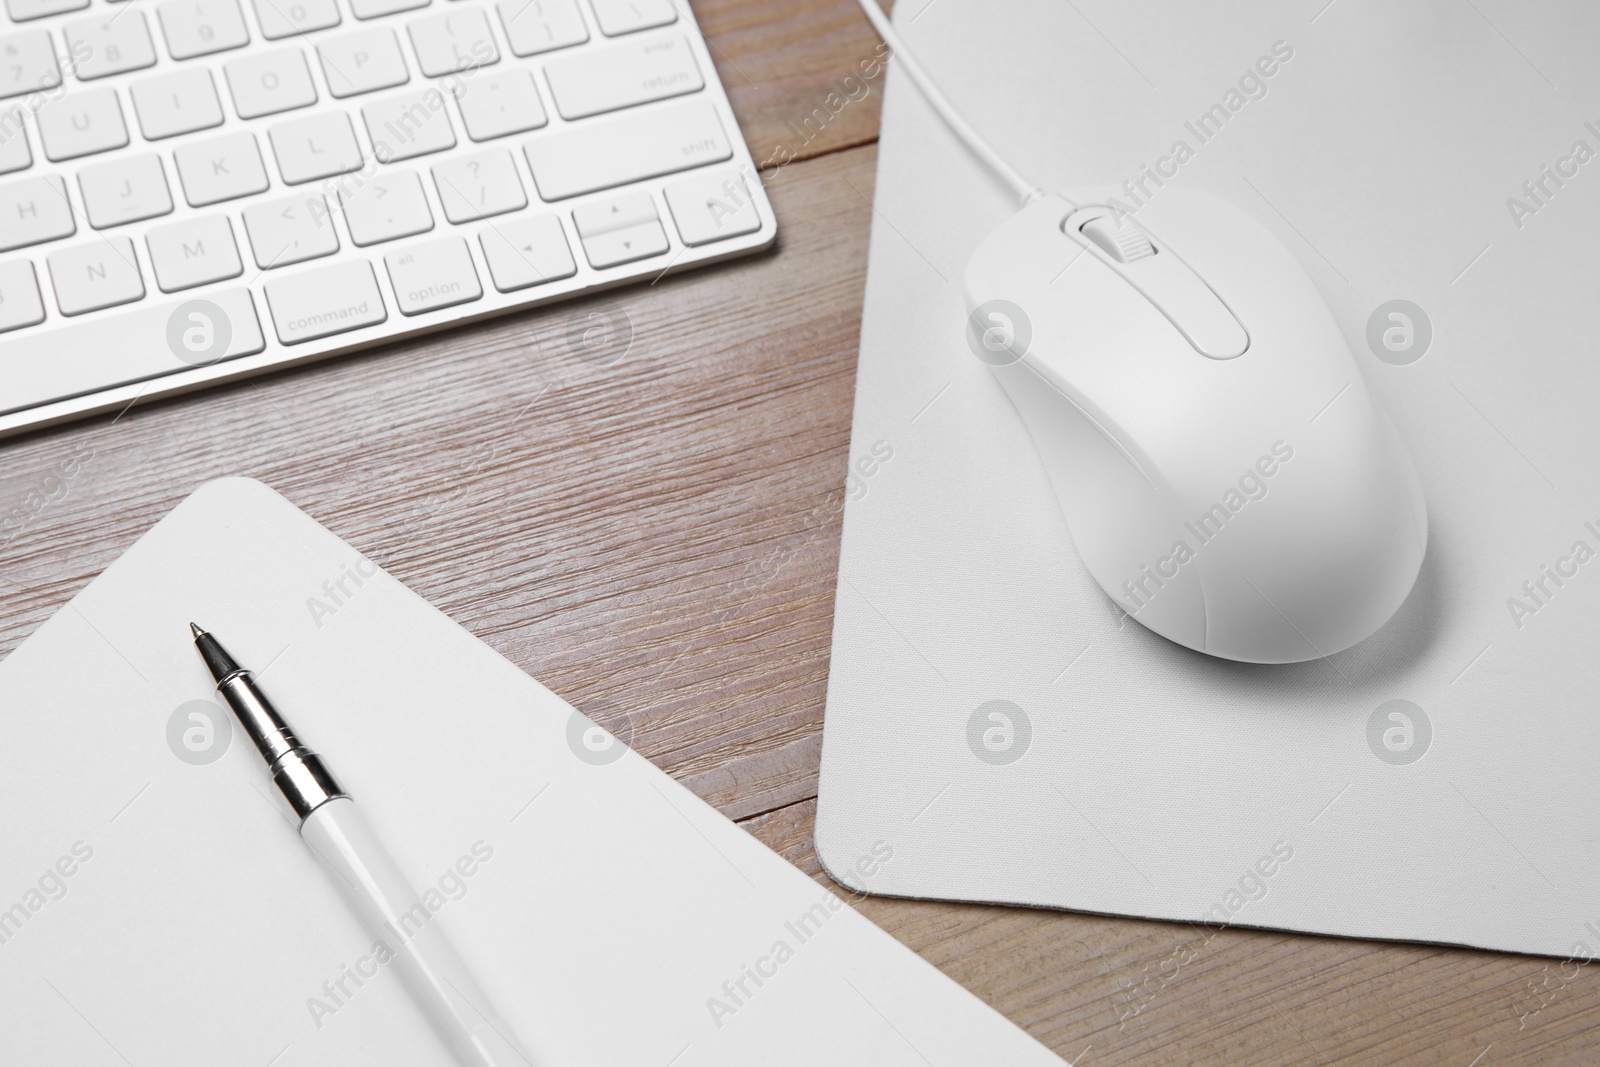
[610, 79]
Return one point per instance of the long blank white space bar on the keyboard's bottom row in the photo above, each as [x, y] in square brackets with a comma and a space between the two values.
[94, 354]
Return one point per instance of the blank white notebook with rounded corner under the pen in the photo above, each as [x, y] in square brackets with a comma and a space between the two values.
[161, 908]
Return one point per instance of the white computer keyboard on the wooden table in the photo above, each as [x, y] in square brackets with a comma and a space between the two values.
[194, 191]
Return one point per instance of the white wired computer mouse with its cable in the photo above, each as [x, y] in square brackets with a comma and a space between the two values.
[1226, 474]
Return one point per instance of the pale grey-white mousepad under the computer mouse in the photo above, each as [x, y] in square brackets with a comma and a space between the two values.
[998, 716]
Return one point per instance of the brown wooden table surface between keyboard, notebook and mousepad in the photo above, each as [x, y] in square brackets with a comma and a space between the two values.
[657, 541]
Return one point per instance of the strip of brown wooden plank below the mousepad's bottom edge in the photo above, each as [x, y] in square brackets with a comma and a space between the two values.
[1142, 993]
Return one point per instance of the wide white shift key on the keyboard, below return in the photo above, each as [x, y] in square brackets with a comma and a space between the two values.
[631, 148]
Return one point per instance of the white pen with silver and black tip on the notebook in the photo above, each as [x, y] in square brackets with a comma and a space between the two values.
[369, 879]
